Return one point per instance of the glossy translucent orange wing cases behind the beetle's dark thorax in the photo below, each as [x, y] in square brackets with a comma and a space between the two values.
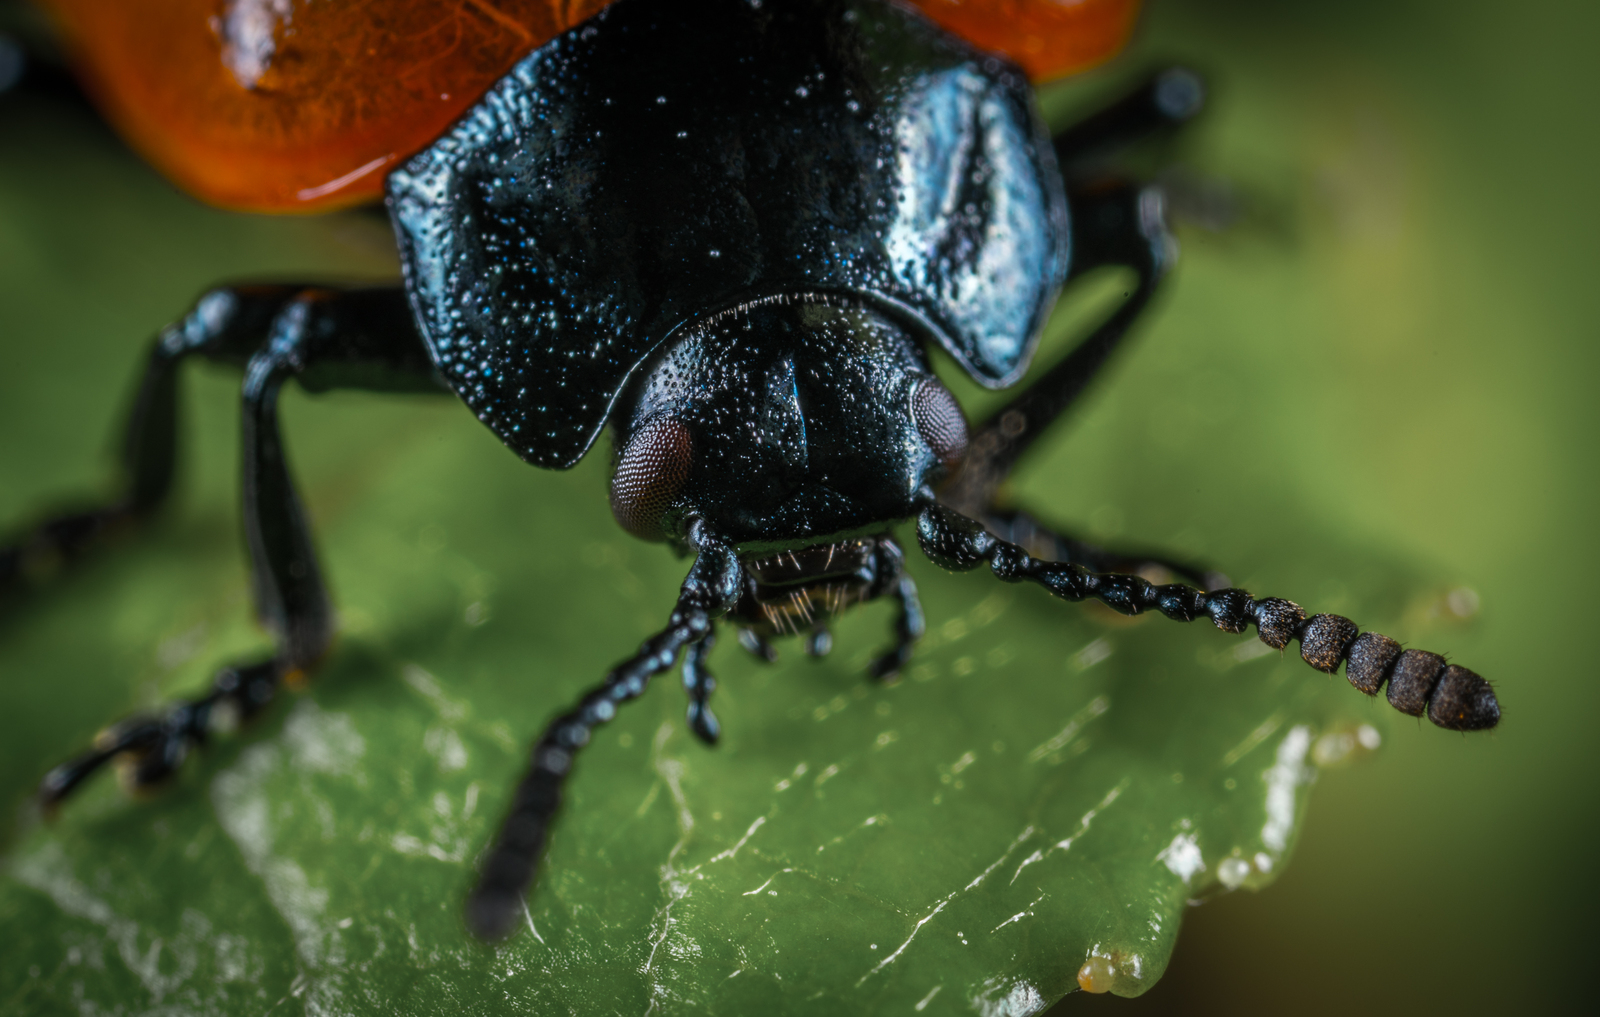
[297, 106]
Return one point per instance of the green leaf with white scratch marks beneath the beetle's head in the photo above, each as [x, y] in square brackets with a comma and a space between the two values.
[1046, 789]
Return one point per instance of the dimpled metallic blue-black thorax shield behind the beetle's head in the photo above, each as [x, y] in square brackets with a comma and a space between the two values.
[618, 188]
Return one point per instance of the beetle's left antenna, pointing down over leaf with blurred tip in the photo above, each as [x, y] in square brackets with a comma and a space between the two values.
[710, 591]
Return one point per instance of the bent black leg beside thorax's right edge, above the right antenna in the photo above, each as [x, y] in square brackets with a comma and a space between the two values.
[1114, 225]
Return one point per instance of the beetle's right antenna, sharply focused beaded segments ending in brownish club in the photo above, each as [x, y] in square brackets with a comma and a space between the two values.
[1418, 682]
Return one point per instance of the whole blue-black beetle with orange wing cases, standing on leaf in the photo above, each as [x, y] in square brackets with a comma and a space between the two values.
[730, 233]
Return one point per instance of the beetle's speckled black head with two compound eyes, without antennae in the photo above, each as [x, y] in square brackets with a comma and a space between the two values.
[785, 421]
